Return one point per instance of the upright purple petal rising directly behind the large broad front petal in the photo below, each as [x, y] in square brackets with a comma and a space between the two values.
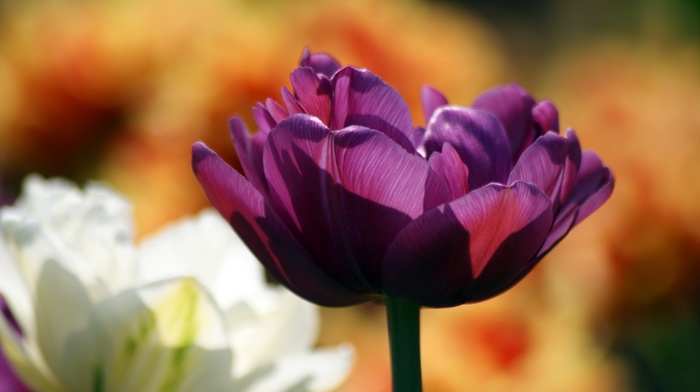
[362, 98]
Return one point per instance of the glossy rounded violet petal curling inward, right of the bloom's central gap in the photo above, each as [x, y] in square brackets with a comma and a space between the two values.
[479, 139]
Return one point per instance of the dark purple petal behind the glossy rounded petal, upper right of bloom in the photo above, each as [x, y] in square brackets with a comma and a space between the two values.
[513, 107]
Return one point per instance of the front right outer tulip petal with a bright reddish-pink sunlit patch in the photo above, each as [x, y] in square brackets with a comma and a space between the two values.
[470, 249]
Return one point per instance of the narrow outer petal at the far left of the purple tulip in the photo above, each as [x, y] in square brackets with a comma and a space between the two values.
[264, 233]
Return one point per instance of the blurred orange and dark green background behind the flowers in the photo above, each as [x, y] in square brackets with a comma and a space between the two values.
[118, 91]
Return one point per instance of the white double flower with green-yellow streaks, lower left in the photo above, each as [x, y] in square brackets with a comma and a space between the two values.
[187, 310]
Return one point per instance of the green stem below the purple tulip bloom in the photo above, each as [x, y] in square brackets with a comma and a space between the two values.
[403, 318]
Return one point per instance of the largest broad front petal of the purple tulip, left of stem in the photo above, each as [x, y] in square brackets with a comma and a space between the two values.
[345, 194]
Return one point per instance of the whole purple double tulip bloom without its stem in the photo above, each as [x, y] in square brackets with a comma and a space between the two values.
[345, 201]
